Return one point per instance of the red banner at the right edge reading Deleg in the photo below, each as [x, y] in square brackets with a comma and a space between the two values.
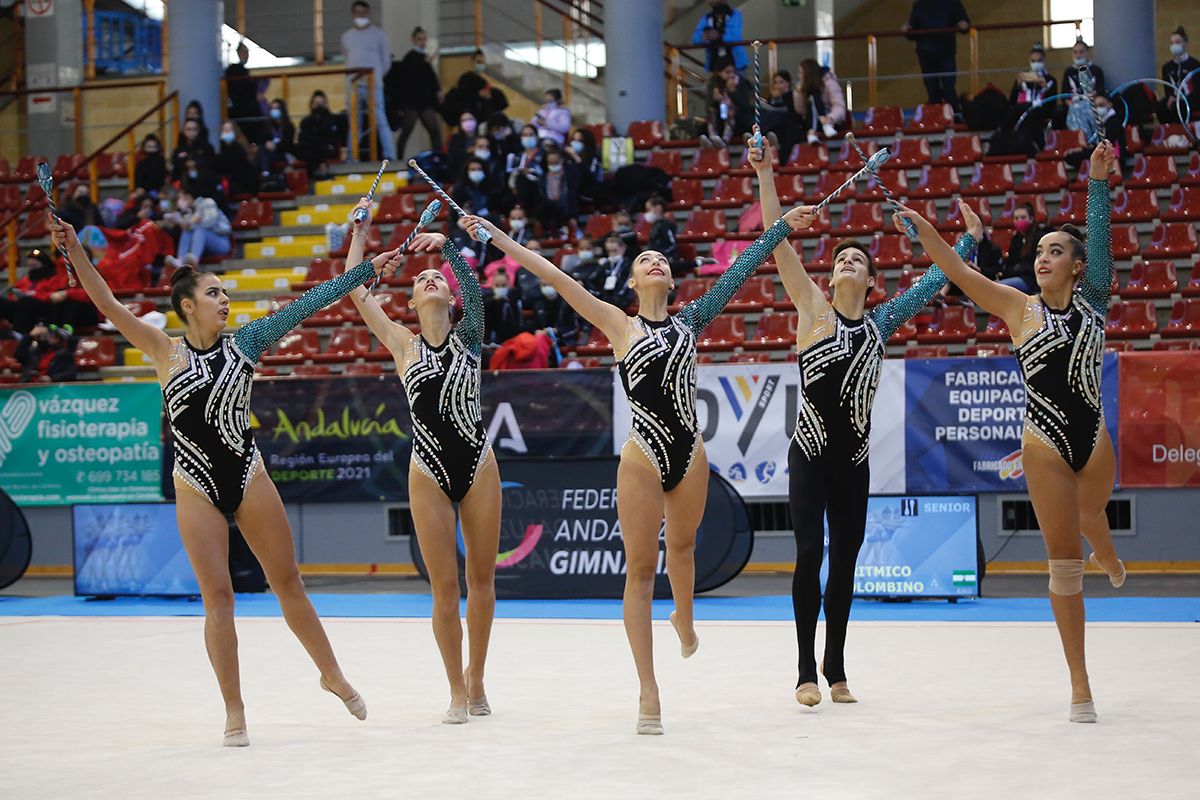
[1160, 431]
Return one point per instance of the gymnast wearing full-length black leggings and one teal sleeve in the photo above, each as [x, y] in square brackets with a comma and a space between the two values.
[842, 350]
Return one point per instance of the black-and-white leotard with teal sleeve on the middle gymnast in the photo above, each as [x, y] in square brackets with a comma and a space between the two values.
[659, 369]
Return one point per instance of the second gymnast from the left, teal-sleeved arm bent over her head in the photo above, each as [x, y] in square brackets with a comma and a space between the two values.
[453, 462]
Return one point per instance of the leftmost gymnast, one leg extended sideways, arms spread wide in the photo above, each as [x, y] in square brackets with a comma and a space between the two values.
[207, 378]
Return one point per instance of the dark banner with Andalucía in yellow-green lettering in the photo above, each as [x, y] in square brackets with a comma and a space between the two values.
[347, 440]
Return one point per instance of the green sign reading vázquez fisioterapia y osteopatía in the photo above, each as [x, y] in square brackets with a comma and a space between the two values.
[81, 443]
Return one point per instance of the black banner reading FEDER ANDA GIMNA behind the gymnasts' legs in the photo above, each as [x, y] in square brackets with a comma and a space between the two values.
[561, 536]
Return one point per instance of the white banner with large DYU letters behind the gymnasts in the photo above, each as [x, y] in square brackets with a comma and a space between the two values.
[747, 413]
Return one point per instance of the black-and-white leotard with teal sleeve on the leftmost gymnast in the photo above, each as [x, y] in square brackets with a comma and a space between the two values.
[207, 395]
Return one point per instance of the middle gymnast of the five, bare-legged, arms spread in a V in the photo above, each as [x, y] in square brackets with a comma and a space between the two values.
[663, 465]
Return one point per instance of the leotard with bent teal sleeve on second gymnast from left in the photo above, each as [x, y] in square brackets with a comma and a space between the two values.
[442, 384]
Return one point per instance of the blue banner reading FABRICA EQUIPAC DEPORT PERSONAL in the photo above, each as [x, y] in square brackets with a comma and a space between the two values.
[964, 420]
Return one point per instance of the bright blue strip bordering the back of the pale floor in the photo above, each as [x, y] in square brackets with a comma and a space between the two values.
[757, 609]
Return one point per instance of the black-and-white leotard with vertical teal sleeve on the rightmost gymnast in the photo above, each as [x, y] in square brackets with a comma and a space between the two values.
[1064, 350]
